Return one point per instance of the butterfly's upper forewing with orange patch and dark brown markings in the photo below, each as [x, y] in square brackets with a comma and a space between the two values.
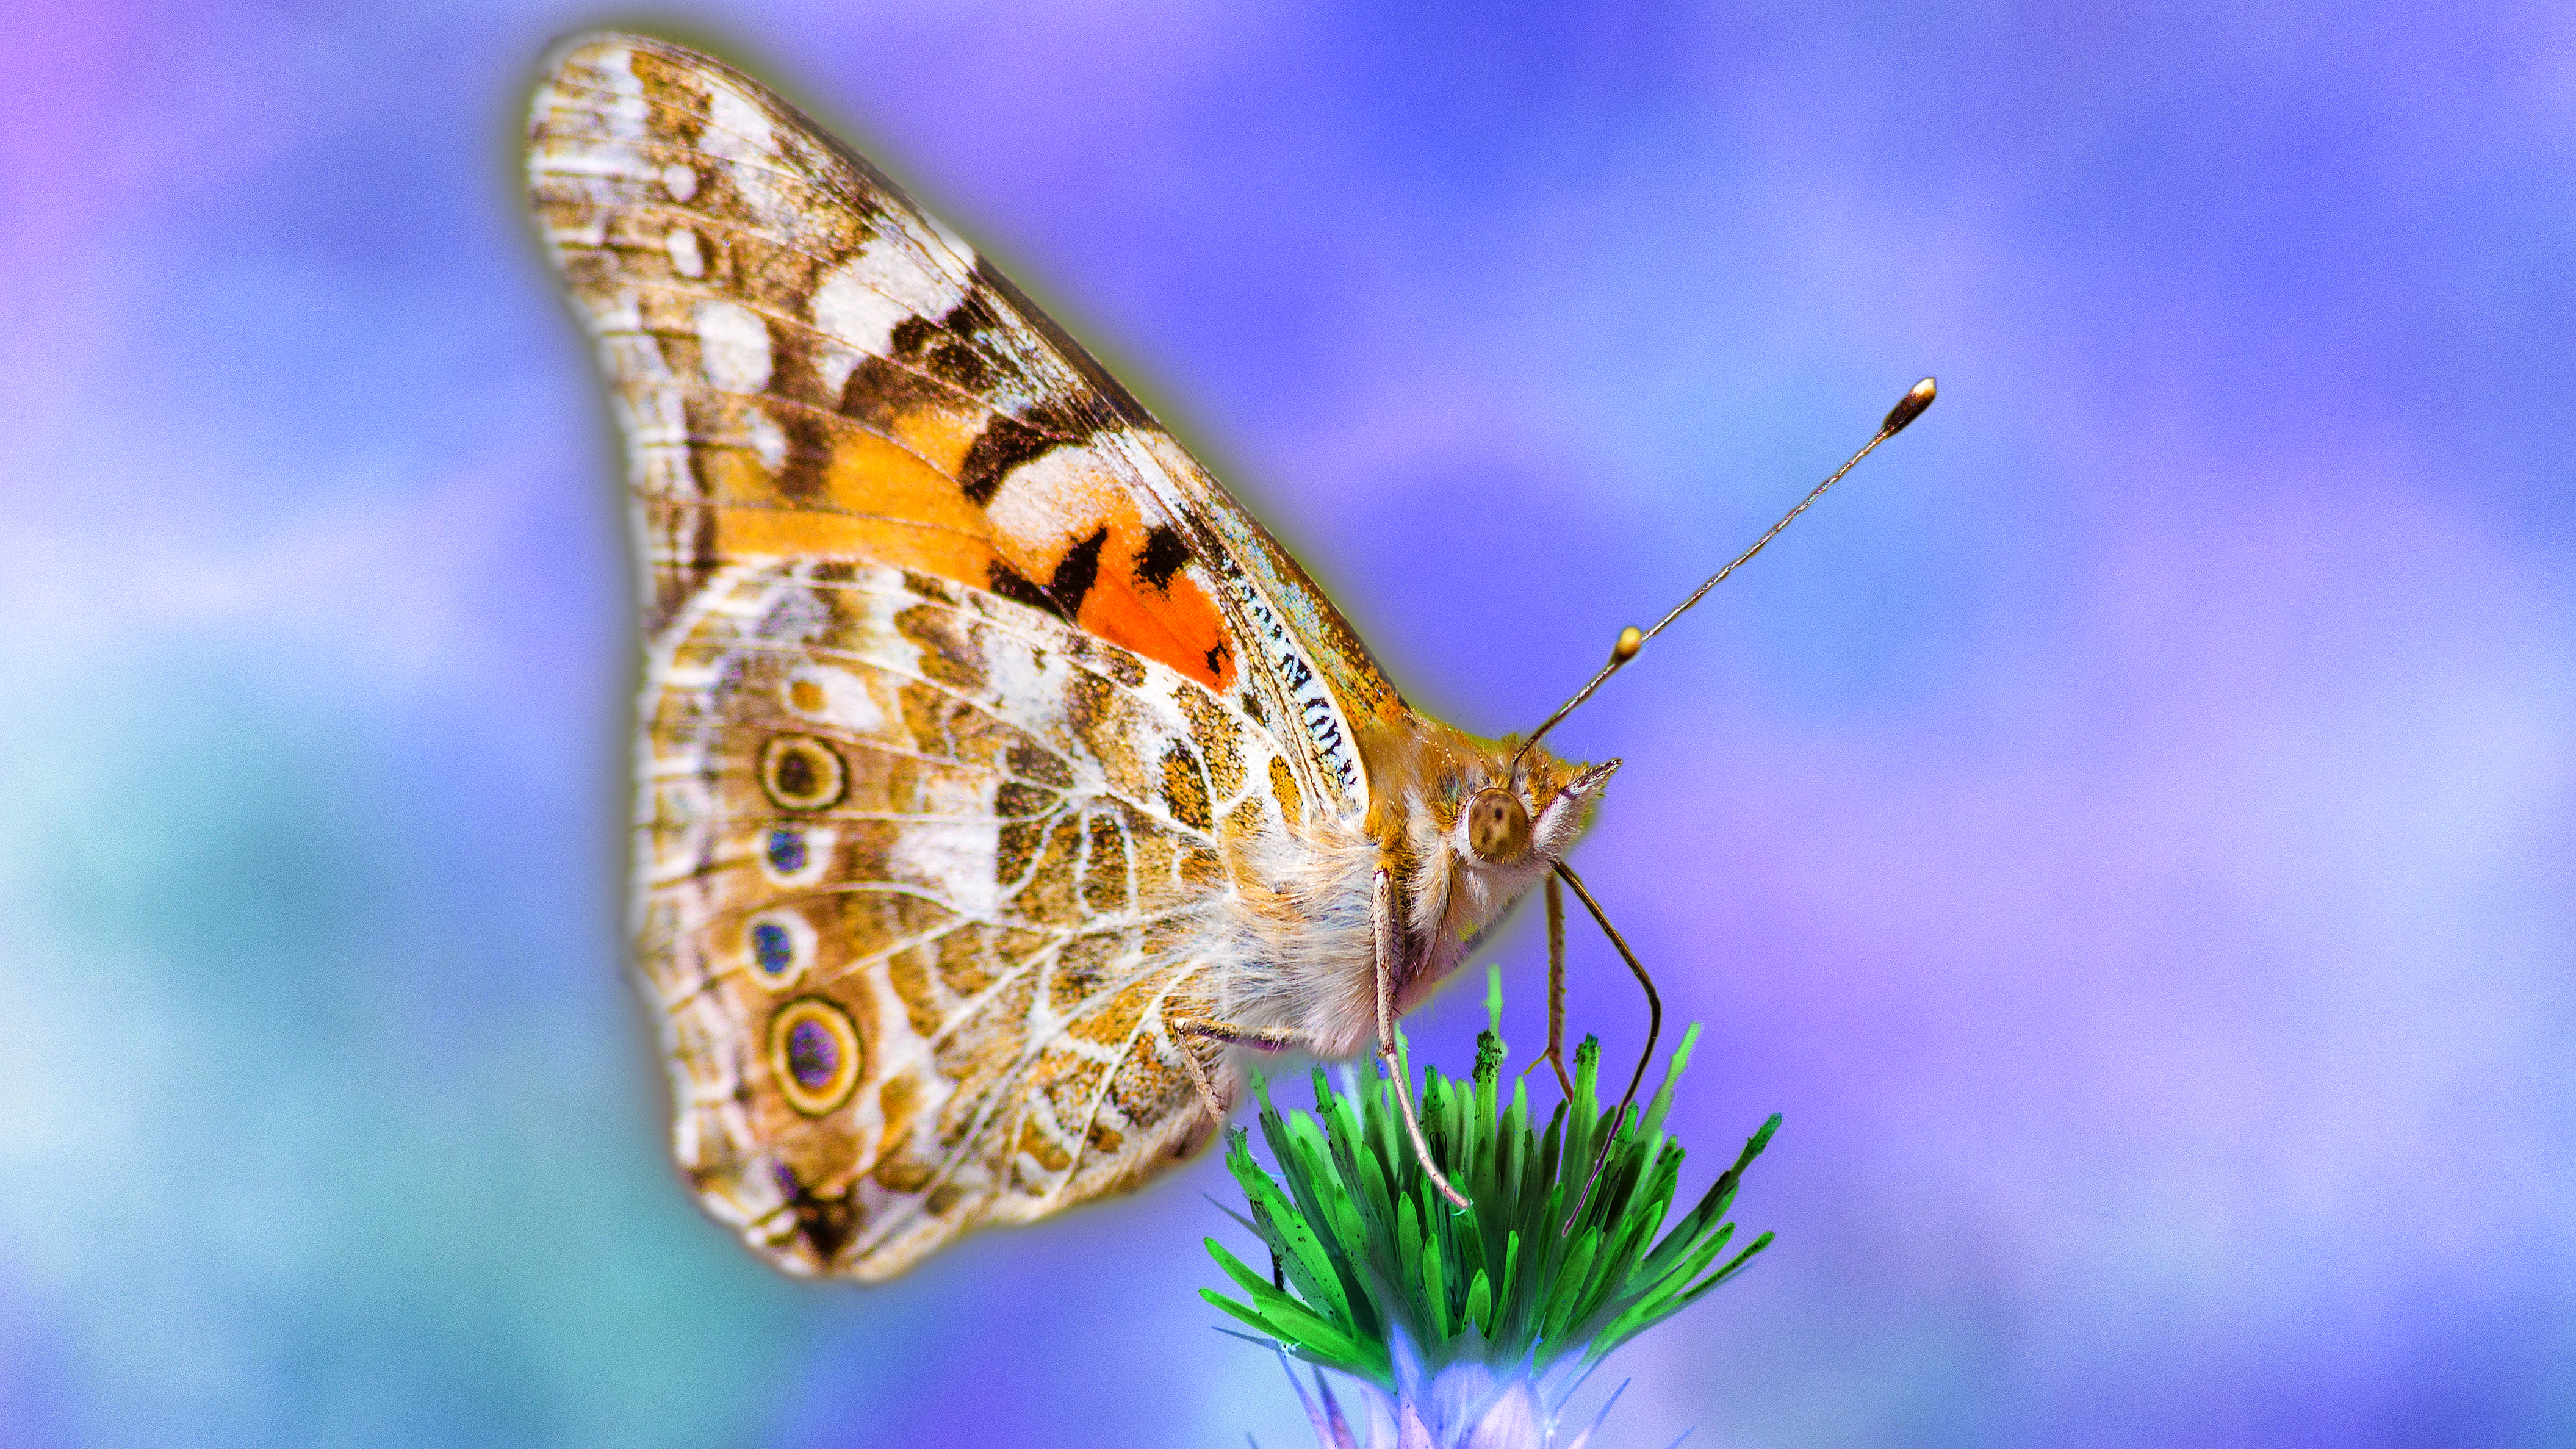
[808, 367]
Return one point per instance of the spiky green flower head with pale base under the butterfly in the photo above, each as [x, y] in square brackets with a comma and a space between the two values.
[1470, 1327]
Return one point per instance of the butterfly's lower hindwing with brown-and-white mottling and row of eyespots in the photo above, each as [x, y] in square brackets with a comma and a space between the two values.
[923, 879]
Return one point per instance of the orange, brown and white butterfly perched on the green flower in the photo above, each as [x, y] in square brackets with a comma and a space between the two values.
[998, 776]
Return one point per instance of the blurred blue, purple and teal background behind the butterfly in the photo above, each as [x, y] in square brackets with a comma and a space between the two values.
[2126, 830]
